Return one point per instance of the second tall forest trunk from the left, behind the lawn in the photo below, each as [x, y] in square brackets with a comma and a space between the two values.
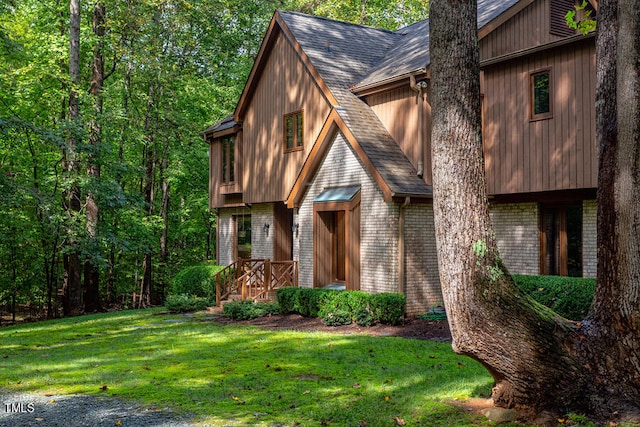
[91, 271]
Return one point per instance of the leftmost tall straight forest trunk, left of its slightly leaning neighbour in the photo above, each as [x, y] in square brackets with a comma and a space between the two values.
[72, 265]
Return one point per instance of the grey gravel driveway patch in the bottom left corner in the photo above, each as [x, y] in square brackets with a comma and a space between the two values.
[21, 409]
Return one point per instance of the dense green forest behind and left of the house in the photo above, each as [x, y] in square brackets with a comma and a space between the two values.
[103, 169]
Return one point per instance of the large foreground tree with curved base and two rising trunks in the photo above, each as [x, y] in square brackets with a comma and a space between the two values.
[539, 361]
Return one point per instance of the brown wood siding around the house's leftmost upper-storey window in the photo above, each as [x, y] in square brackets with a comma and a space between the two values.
[221, 195]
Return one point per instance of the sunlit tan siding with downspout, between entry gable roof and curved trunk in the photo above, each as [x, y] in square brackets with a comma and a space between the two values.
[398, 111]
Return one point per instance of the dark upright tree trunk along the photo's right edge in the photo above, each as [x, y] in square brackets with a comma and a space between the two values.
[612, 344]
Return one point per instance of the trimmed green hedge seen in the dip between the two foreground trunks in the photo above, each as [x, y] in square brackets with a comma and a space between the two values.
[570, 297]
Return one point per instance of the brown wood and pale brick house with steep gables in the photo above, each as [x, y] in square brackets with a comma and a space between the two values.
[326, 158]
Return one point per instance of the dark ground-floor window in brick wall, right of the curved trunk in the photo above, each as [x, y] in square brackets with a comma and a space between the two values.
[561, 240]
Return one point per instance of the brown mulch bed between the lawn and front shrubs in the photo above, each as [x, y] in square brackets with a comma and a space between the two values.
[412, 328]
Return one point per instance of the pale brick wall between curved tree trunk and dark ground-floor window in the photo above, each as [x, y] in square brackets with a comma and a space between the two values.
[518, 236]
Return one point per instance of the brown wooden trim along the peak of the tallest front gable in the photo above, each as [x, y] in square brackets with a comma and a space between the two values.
[277, 26]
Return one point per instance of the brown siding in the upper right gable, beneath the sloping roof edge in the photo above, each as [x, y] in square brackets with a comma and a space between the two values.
[529, 28]
